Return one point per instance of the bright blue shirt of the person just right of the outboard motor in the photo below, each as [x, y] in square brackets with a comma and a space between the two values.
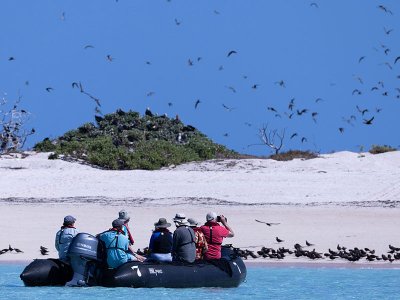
[117, 248]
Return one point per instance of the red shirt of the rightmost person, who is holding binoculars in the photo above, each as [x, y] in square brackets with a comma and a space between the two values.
[218, 234]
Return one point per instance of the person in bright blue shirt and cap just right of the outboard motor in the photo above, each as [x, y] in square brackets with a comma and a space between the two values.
[117, 245]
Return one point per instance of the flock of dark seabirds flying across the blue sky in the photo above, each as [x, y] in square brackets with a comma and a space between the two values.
[366, 115]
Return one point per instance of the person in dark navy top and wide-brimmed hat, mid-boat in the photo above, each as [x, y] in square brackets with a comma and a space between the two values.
[160, 246]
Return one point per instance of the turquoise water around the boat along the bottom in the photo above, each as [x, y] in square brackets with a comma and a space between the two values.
[261, 283]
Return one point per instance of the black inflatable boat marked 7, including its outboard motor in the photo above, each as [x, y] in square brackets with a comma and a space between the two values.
[86, 269]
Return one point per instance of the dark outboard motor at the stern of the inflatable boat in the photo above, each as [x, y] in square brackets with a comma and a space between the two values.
[84, 253]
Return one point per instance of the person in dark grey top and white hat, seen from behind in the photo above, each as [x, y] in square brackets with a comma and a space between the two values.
[183, 243]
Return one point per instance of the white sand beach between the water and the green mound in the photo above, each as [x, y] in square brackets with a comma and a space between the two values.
[344, 198]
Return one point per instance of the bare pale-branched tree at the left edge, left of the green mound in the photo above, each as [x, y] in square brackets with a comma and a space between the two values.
[13, 134]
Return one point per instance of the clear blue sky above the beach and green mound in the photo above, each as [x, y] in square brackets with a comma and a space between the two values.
[314, 49]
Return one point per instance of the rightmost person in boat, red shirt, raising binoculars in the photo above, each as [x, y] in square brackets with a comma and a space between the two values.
[215, 234]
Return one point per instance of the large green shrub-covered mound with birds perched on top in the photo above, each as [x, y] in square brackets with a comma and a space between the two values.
[126, 140]
